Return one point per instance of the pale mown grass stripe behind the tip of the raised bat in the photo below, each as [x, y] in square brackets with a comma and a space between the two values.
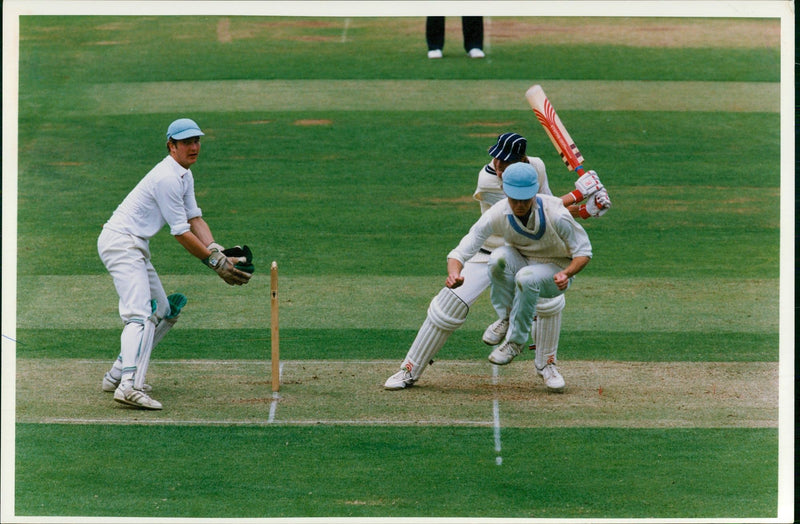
[423, 95]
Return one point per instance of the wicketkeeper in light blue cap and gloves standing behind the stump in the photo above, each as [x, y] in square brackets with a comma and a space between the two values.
[165, 196]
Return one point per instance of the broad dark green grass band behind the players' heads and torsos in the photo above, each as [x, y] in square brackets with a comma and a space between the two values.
[674, 185]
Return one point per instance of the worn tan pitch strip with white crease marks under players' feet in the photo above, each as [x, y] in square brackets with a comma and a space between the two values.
[598, 394]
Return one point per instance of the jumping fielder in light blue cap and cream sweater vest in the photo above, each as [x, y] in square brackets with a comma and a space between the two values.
[544, 249]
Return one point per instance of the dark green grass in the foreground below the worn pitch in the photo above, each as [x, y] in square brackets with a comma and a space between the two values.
[393, 472]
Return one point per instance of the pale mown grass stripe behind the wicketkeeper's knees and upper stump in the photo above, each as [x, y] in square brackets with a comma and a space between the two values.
[626, 304]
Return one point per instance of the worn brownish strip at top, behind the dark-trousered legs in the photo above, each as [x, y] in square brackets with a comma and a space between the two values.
[627, 31]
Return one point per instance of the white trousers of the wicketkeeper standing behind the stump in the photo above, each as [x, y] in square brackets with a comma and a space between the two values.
[127, 259]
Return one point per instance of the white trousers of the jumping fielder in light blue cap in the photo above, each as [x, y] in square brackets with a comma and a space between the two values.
[517, 284]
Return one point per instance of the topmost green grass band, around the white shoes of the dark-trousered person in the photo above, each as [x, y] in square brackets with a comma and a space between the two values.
[65, 50]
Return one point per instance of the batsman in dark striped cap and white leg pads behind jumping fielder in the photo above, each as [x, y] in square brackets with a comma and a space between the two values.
[448, 309]
